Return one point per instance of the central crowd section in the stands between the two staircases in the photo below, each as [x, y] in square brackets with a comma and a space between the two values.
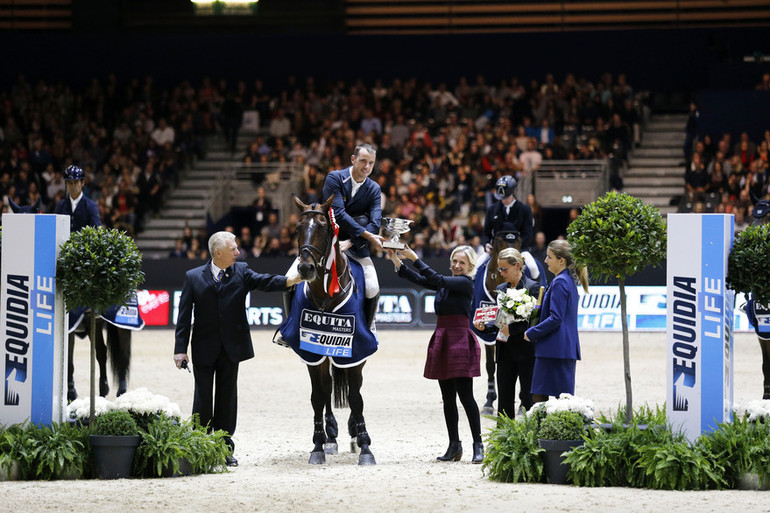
[440, 149]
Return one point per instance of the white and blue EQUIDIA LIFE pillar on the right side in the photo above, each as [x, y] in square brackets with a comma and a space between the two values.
[699, 313]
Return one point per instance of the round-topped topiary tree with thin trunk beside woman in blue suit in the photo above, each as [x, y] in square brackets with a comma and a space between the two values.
[617, 236]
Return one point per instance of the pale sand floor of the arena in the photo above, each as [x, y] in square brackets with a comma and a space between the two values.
[404, 418]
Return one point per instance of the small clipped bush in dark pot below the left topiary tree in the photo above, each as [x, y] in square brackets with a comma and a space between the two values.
[114, 437]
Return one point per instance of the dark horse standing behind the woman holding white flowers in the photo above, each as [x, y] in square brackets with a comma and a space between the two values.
[486, 281]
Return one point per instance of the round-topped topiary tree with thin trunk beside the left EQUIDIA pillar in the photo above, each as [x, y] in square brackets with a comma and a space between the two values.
[98, 268]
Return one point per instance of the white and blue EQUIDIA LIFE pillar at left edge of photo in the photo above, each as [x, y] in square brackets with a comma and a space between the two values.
[33, 357]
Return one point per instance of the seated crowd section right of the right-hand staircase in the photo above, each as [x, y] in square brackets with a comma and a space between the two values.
[724, 175]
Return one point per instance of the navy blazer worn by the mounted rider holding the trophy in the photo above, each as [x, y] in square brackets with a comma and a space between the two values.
[366, 202]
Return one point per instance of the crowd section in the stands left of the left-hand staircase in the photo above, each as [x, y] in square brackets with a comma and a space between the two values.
[131, 140]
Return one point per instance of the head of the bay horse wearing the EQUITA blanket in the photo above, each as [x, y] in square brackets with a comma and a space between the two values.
[314, 238]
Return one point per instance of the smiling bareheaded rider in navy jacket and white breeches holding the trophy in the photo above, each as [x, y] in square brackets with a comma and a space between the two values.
[358, 213]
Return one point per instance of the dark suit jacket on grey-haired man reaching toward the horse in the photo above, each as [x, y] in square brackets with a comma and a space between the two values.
[219, 312]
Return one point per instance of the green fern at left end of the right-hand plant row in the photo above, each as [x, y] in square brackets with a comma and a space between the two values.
[512, 454]
